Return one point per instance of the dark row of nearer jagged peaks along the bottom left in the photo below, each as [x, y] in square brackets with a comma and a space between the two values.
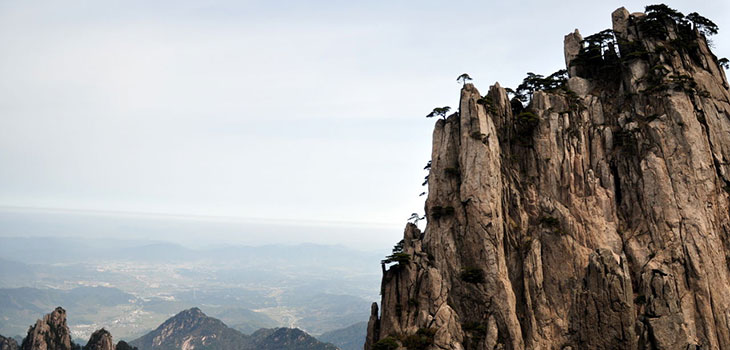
[188, 330]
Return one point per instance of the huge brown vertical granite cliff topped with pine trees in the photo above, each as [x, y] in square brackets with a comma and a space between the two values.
[603, 225]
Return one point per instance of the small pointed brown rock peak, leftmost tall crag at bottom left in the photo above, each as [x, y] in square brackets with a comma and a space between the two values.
[49, 333]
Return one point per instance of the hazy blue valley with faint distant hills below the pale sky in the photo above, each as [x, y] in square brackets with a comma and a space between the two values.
[130, 286]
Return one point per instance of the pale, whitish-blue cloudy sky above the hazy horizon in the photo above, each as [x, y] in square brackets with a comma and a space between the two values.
[281, 111]
